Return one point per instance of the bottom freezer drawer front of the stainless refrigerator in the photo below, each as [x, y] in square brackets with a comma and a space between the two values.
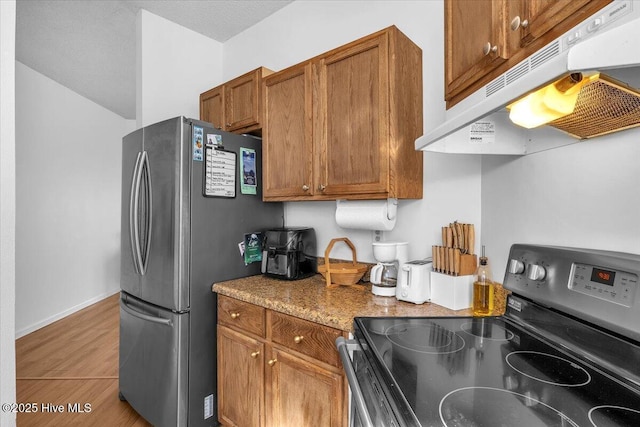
[153, 362]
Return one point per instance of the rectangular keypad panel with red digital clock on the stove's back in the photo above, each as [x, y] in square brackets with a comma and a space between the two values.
[604, 283]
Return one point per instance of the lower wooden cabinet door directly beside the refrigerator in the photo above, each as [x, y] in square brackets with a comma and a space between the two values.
[240, 379]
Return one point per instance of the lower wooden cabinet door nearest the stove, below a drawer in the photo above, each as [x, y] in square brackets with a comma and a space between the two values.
[303, 394]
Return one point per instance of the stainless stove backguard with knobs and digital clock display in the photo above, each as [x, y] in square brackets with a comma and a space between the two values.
[601, 287]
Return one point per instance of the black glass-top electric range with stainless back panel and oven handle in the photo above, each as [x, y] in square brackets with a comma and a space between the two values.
[565, 353]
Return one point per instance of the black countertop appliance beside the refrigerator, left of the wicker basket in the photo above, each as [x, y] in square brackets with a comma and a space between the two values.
[289, 253]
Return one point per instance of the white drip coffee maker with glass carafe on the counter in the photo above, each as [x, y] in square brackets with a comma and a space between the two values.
[391, 256]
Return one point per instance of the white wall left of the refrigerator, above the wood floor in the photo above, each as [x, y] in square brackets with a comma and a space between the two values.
[68, 152]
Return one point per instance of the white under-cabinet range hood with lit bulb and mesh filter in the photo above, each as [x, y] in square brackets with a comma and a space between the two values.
[597, 63]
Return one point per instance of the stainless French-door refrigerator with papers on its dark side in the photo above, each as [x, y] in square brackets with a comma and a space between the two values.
[190, 194]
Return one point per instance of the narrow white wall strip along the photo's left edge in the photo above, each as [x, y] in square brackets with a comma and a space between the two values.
[7, 209]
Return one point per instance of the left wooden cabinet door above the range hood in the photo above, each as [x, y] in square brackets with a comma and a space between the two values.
[477, 40]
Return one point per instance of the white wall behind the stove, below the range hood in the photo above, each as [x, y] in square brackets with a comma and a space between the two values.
[582, 195]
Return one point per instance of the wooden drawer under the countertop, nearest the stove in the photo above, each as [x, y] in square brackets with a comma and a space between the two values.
[305, 337]
